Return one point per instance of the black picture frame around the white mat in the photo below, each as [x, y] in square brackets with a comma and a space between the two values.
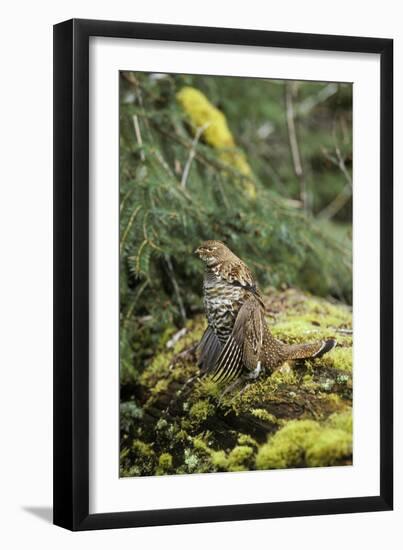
[71, 274]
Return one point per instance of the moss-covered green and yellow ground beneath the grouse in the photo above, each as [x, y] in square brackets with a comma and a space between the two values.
[300, 416]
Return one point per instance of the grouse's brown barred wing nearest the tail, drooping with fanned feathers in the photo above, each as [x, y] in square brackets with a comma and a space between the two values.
[242, 349]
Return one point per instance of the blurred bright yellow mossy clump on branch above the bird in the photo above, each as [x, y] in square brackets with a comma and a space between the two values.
[215, 131]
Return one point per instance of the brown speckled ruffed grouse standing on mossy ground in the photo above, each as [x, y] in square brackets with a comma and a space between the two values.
[237, 345]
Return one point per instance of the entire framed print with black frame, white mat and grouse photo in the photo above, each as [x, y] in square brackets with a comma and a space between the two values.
[222, 274]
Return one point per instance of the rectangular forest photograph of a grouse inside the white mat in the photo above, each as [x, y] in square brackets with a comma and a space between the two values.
[235, 274]
